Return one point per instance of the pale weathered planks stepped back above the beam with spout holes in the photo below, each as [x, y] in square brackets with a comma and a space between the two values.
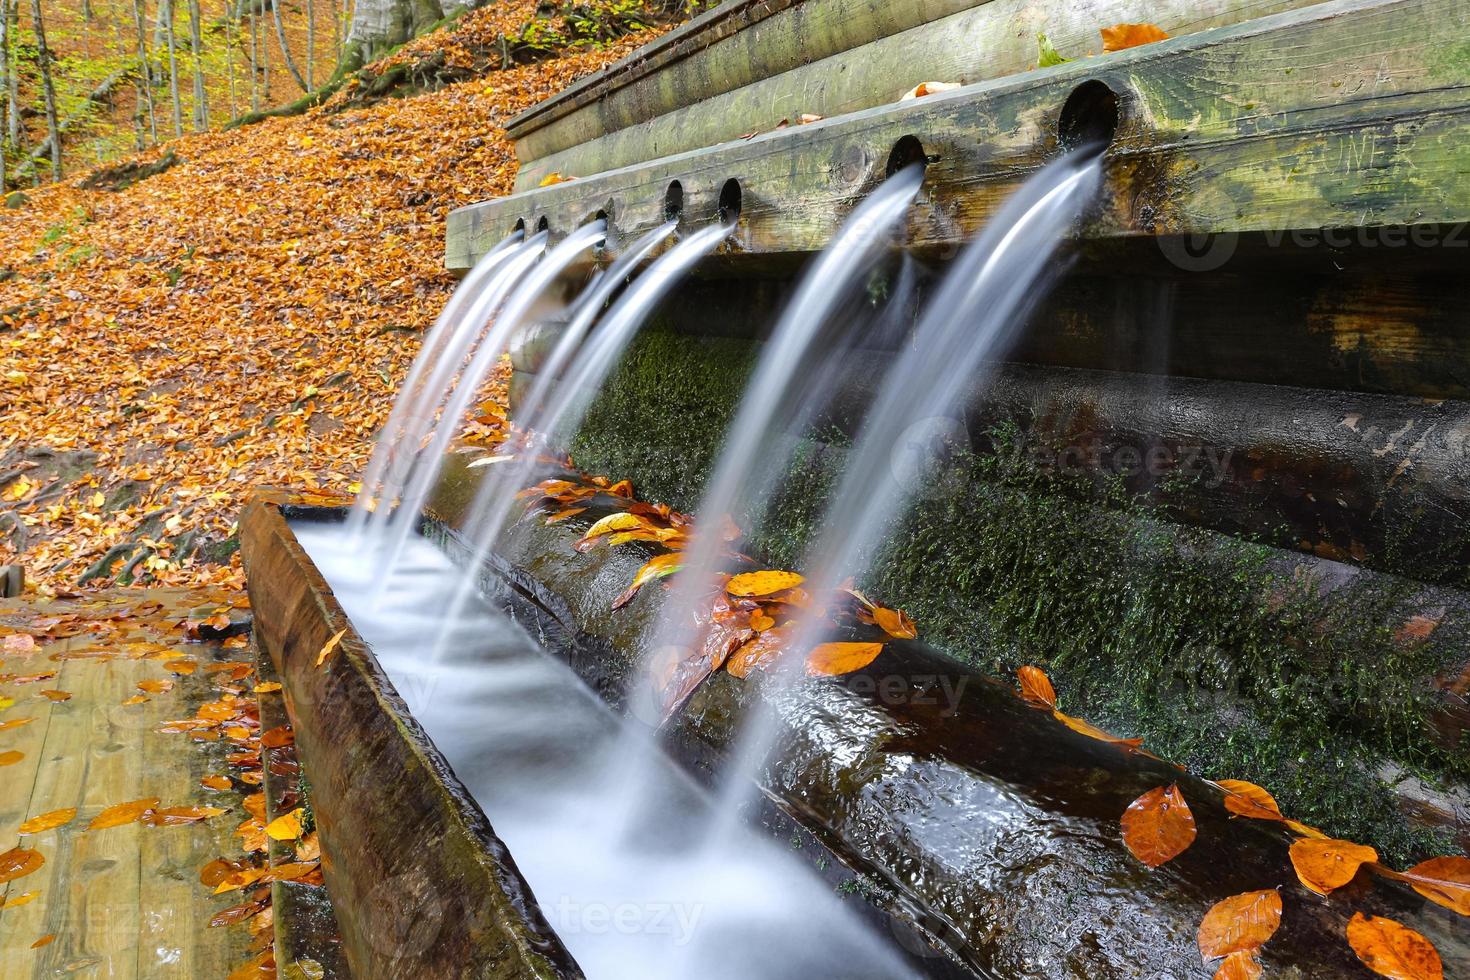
[990, 40]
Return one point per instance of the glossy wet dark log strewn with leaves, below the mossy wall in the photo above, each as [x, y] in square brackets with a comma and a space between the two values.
[993, 819]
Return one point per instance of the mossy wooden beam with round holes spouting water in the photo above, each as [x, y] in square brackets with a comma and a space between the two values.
[1243, 129]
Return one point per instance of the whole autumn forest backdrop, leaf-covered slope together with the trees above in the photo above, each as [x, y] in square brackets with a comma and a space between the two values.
[232, 275]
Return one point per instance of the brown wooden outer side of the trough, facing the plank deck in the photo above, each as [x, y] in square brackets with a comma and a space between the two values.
[421, 885]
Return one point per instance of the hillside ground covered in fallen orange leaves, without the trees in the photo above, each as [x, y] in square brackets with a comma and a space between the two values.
[242, 318]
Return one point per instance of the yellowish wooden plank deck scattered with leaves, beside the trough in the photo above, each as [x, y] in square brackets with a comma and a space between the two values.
[120, 901]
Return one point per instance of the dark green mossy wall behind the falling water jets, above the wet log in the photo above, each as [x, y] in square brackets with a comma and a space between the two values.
[1206, 646]
